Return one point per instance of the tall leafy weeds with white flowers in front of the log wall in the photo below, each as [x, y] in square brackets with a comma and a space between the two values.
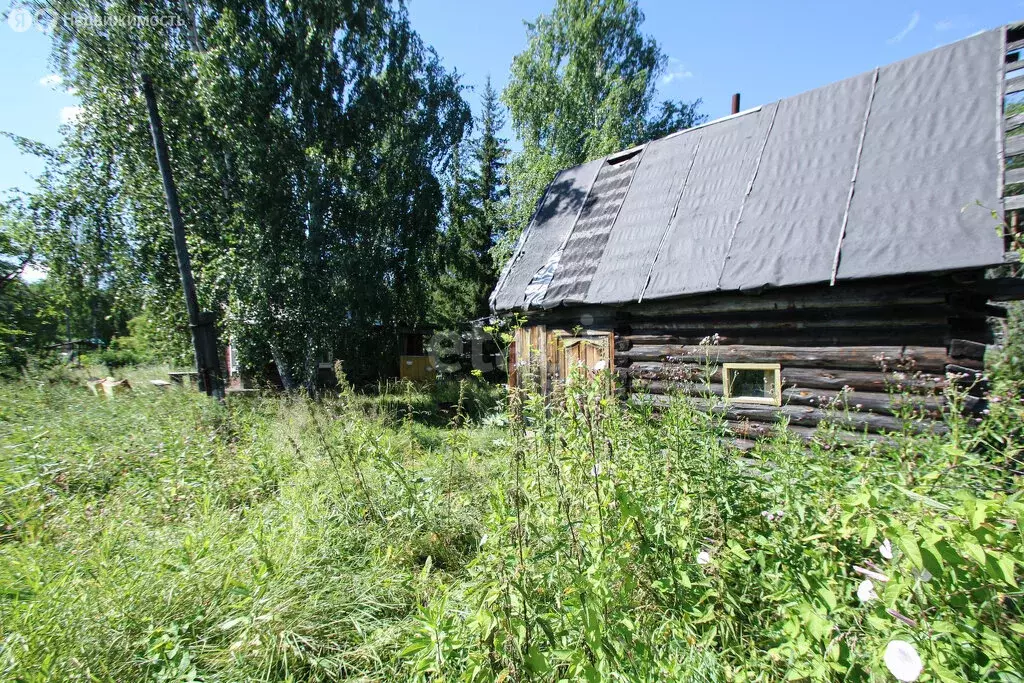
[622, 546]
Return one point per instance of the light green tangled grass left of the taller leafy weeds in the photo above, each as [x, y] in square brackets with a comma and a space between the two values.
[160, 537]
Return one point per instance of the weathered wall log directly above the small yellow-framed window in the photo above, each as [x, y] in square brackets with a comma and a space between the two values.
[855, 358]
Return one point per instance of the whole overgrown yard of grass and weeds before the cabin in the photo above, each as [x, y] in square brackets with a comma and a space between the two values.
[160, 537]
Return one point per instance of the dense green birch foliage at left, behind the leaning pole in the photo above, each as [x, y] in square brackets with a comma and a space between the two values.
[306, 142]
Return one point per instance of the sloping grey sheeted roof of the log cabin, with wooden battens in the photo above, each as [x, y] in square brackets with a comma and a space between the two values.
[894, 172]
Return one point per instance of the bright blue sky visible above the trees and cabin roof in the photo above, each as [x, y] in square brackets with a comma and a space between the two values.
[764, 51]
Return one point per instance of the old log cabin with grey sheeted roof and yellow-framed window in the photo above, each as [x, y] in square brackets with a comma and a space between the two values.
[843, 247]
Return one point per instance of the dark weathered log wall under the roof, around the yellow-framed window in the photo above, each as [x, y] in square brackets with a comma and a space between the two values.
[857, 356]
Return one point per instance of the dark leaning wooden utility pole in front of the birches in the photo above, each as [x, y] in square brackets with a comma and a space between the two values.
[201, 324]
